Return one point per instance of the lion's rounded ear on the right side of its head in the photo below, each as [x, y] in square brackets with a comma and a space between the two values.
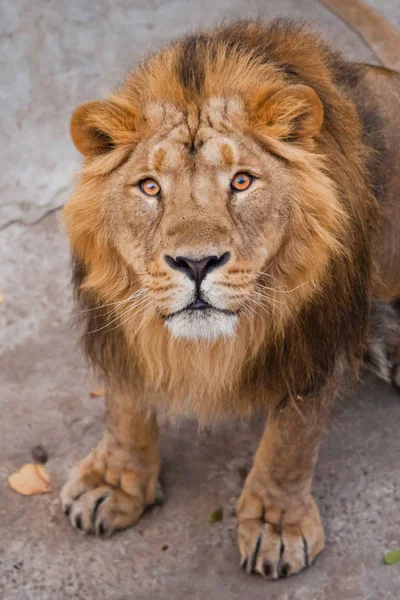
[293, 114]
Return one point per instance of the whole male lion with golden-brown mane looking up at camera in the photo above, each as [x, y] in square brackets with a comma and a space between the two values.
[235, 234]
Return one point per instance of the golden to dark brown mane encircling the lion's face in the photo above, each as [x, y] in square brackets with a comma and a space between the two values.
[333, 219]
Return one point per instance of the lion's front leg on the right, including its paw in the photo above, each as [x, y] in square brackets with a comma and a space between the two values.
[280, 530]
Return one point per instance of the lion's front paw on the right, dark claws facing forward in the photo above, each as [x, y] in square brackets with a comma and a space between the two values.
[283, 547]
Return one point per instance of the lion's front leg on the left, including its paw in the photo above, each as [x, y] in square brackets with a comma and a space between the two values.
[109, 489]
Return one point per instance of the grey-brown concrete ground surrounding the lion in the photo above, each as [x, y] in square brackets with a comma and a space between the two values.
[54, 56]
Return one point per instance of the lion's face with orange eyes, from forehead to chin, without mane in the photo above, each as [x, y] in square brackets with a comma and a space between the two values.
[197, 212]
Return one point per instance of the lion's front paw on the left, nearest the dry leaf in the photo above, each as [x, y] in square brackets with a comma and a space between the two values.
[102, 496]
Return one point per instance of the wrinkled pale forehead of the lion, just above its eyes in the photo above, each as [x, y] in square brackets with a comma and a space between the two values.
[206, 134]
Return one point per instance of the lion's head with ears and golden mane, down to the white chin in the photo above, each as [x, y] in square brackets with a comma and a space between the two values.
[210, 202]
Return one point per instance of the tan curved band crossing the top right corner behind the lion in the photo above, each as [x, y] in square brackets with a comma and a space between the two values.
[372, 27]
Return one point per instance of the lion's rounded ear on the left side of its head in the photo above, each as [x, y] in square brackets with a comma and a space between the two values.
[99, 127]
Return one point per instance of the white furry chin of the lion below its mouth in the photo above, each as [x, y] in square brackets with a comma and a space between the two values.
[202, 325]
